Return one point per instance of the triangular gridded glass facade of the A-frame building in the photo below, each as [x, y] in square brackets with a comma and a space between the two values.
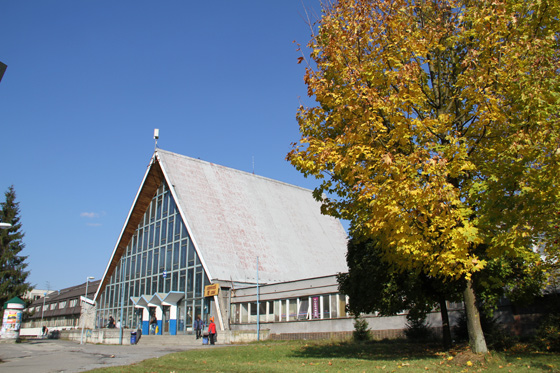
[160, 258]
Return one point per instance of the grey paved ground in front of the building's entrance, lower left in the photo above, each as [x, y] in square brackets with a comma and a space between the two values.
[51, 355]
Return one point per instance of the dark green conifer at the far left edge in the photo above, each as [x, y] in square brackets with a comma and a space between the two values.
[13, 274]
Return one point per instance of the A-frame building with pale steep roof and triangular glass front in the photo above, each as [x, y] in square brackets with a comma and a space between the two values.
[195, 224]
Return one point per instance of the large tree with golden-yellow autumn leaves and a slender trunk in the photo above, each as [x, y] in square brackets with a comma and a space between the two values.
[436, 129]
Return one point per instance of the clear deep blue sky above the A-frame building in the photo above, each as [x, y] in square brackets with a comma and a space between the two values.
[88, 81]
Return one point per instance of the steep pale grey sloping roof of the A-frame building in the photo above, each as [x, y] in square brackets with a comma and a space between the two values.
[234, 216]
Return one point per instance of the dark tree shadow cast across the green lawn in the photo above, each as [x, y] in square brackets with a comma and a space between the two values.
[374, 350]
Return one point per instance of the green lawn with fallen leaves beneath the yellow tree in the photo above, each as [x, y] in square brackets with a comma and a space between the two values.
[329, 356]
